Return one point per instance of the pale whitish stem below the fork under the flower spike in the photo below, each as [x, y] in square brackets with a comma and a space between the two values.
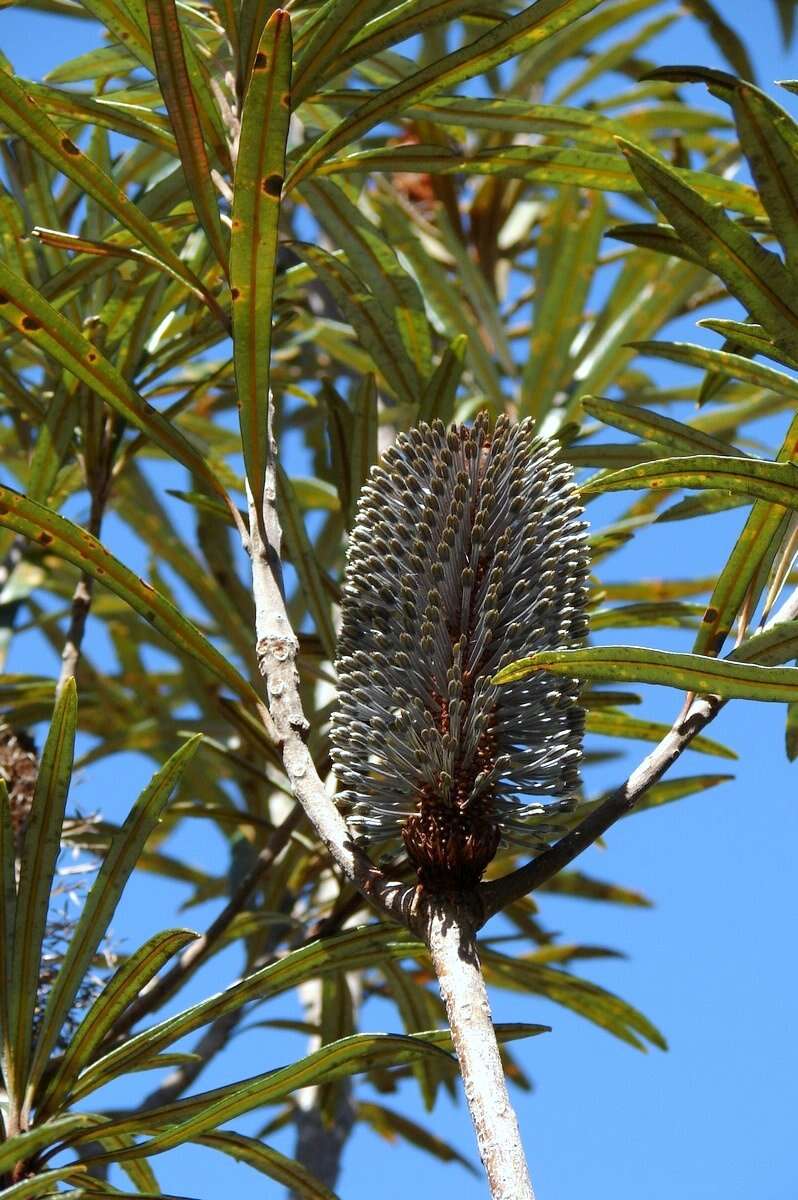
[452, 943]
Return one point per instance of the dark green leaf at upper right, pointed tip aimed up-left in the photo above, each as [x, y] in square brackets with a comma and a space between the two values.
[754, 275]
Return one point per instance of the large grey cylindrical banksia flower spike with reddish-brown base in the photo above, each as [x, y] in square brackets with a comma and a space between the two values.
[467, 554]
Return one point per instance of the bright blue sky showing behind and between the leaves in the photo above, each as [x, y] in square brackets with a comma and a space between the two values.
[713, 964]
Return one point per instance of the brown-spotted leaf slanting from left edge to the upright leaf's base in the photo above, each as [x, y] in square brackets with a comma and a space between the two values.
[38, 321]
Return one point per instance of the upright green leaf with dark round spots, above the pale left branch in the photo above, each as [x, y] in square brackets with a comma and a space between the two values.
[260, 172]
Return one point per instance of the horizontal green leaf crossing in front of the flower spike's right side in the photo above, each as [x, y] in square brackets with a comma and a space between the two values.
[688, 673]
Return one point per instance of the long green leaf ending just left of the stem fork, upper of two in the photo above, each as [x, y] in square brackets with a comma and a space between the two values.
[345, 952]
